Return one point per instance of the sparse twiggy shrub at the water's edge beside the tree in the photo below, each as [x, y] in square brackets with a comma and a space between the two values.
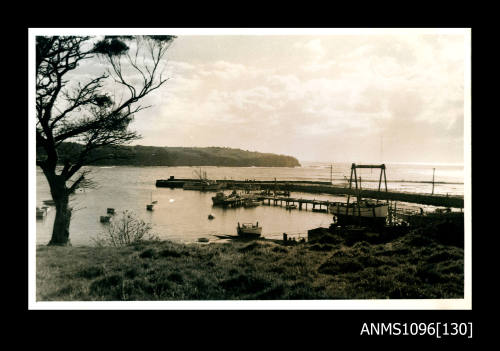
[126, 230]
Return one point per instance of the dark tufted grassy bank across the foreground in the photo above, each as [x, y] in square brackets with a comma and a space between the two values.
[414, 265]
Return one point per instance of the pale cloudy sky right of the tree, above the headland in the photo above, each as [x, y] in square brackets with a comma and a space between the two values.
[352, 98]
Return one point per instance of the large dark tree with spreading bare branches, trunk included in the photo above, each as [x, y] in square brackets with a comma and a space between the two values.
[92, 109]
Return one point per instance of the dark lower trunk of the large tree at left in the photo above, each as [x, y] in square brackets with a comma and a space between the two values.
[60, 232]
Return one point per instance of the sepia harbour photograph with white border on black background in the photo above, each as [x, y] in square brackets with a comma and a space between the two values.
[272, 167]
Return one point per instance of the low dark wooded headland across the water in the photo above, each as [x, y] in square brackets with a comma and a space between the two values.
[178, 156]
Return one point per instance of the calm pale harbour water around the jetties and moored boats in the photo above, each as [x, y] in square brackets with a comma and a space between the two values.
[182, 215]
